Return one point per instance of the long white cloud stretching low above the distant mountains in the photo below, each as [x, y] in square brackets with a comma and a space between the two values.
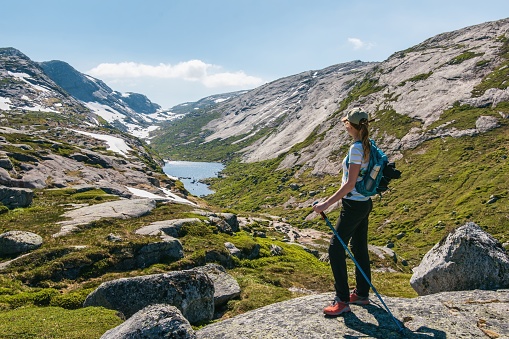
[193, 70]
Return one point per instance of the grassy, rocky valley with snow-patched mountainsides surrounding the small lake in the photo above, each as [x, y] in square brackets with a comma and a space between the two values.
[440, 111]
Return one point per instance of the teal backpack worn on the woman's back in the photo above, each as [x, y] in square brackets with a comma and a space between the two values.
[379, 172]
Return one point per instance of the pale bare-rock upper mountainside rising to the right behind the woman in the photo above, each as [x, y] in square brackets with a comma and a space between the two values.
[411, 95]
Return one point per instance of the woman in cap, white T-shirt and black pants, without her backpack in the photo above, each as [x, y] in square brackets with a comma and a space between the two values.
[352, 224]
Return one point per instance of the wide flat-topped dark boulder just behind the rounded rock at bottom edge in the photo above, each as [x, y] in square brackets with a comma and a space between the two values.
[191, 292]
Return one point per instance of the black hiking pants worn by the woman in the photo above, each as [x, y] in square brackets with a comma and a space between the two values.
[352, 226]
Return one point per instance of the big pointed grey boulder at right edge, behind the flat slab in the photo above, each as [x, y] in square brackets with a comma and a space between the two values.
[468, 258]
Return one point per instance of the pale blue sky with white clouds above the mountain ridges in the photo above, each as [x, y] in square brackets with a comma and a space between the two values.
[176, 51]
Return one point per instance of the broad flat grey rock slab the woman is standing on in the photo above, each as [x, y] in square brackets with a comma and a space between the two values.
[468, 314]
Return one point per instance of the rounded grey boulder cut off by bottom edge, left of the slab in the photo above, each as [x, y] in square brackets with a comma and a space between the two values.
[154, 321]
